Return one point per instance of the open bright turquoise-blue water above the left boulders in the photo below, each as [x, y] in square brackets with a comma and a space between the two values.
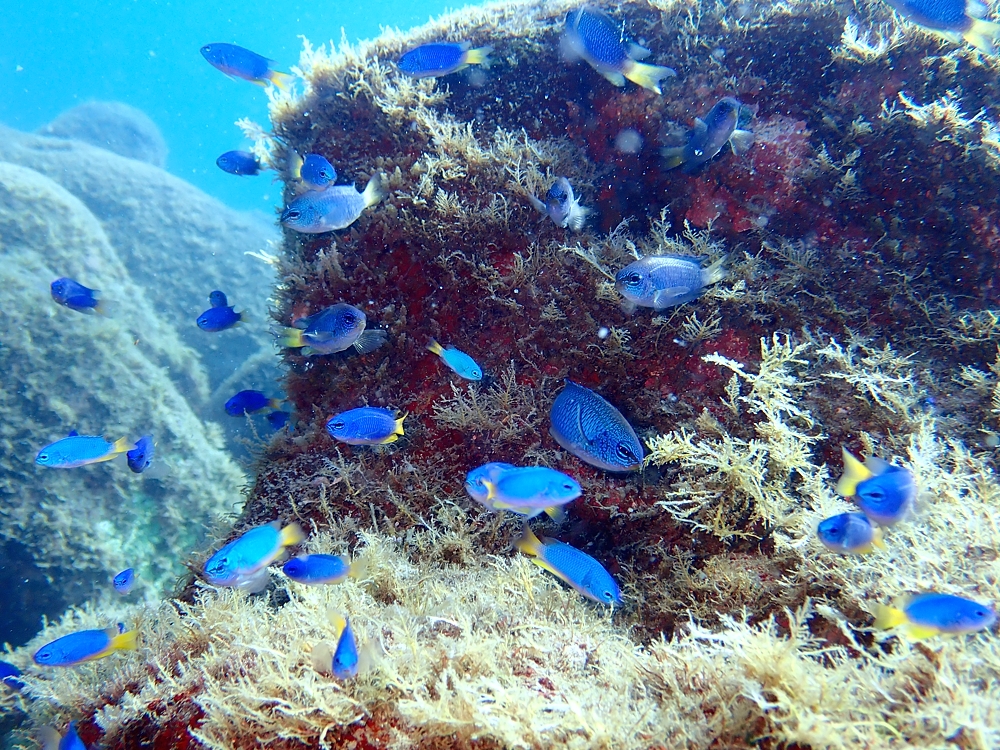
[145, 53]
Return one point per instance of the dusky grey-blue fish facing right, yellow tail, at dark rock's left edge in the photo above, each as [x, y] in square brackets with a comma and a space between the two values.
[332, 330]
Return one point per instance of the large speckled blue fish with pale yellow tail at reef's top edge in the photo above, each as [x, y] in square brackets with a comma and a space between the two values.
[592, 35]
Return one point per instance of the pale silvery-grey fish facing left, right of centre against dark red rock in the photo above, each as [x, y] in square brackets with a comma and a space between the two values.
[661, 281]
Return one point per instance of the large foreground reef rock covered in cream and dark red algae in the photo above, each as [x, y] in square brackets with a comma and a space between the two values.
[859, 310]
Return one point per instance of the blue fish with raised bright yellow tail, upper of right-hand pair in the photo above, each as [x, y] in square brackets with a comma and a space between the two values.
[885, 493]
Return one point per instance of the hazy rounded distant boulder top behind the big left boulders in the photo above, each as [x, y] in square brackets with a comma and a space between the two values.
[113, 126]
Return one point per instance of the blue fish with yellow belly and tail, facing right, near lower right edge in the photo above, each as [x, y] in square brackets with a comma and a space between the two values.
[925, 615]
